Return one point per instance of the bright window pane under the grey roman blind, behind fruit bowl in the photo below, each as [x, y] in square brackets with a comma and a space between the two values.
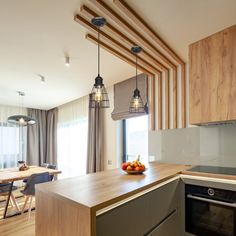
[136, 138]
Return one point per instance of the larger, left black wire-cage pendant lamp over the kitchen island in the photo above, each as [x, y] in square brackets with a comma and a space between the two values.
[98, 98]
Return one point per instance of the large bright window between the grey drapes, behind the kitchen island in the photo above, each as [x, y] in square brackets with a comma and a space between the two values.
[72, 147]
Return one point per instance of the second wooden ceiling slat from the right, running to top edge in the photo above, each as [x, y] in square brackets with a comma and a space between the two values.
[107, 12]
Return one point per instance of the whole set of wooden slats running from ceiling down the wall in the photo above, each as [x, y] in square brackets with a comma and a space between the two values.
[156, 58]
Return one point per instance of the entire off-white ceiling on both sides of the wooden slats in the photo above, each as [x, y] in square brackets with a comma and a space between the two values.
[35, 34]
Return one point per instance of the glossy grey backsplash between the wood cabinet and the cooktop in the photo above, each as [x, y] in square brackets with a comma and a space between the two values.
[196, 145]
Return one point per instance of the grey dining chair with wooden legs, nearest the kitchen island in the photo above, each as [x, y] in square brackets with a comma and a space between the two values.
[29, 190]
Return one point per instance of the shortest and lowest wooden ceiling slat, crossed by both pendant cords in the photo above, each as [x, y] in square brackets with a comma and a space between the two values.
[116, 53]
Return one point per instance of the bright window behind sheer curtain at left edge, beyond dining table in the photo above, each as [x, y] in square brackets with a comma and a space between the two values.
[13, 145]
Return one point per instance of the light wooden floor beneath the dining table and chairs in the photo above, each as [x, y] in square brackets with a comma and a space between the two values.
[17, 225]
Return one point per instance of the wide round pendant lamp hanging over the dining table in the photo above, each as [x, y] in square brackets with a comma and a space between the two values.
[21, 120]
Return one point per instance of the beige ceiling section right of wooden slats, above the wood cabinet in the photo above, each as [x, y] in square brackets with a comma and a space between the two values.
[182, 22]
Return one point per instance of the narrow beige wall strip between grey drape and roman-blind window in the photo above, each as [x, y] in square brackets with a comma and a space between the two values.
[112, 137]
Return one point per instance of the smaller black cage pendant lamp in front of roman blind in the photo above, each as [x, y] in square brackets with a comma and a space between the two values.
[136, 104]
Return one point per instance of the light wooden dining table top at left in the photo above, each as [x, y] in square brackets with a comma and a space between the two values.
[13, 174]
